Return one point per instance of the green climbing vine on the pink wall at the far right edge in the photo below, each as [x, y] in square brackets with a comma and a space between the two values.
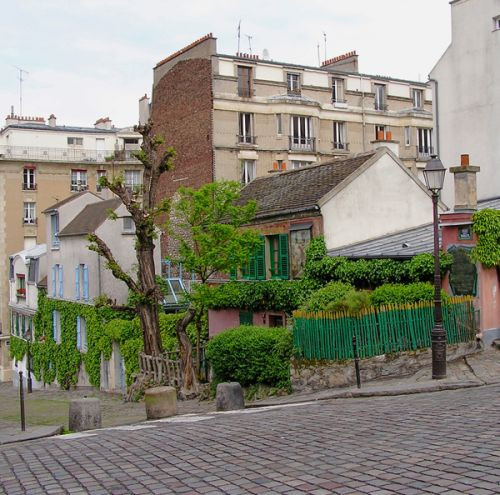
[486, 225]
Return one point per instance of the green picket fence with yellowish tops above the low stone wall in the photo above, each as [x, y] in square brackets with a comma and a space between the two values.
[395, 328]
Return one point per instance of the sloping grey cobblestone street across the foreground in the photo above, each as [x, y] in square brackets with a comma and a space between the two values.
[444, 442]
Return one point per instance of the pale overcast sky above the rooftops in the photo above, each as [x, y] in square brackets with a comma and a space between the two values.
[93, 58]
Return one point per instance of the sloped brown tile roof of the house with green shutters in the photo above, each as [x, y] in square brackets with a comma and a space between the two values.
[300, 189]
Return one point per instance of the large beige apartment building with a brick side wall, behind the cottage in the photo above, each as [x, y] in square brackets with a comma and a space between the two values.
[239, 117]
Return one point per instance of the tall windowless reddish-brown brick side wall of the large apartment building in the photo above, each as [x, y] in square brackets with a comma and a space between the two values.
[182, 113]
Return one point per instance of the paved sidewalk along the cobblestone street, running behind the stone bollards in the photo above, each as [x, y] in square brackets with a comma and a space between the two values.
[47, 410]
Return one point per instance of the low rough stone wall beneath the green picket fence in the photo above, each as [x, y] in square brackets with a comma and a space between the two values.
[307, 376]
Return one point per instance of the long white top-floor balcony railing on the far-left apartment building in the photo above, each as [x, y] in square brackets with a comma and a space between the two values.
[64, 154]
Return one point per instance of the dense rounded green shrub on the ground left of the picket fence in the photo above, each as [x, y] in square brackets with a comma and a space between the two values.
[252, 355]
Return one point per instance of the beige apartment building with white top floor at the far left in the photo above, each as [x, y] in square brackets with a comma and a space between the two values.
[43, 163]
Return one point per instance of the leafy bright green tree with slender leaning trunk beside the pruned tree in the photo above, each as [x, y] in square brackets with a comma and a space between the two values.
[207, 225]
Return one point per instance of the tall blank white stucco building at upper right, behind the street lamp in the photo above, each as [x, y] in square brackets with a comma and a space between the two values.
[466, 82]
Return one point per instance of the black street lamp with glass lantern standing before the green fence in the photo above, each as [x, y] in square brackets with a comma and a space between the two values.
[434, 178]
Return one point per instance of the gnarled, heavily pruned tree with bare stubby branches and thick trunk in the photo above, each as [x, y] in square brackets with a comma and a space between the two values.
[145, 209]
